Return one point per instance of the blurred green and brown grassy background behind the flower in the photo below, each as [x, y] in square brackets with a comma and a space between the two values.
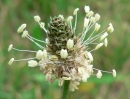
[18, 81]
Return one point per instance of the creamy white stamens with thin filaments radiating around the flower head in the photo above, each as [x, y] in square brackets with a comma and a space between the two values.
[89, 21]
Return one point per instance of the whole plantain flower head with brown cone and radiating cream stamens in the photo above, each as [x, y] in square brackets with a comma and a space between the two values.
[67, 55]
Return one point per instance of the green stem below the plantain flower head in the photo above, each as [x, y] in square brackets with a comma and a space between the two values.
[65, 89]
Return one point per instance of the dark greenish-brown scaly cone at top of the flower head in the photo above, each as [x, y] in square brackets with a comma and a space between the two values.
[59, 31]
